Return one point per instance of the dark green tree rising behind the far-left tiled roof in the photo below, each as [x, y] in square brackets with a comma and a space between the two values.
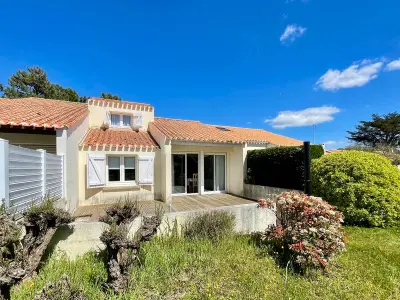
[34, 83]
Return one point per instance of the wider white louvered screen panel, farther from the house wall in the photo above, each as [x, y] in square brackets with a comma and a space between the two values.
[25, 177]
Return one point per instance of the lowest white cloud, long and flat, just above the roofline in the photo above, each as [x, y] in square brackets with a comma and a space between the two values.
[306, 117]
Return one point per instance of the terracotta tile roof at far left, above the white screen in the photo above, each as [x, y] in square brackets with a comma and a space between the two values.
[39, 112]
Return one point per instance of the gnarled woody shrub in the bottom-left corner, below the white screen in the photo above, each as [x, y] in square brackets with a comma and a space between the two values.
[20, 255]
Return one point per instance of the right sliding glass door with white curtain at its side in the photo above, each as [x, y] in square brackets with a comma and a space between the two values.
[214, 172]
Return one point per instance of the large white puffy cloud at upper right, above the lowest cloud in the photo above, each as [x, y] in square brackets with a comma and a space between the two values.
[358, 74]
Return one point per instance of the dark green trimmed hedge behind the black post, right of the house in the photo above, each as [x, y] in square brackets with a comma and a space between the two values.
[279, 166]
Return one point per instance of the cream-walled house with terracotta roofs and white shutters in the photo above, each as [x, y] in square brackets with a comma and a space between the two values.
[115, 147]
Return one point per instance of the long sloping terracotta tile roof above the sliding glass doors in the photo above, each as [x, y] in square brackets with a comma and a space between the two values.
[185, 130]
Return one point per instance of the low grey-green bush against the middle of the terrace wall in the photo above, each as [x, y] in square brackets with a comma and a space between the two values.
[210, 225]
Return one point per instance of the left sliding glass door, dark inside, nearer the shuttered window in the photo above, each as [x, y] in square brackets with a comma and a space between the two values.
[185, 173]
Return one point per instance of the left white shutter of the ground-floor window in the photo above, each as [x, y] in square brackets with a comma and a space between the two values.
[96, 170]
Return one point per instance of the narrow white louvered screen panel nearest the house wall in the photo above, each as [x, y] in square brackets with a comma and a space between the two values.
[54, 175]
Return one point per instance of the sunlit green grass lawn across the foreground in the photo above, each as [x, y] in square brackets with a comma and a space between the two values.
[235, 269]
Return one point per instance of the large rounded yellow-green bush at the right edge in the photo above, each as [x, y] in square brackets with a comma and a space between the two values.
[364, 186]
